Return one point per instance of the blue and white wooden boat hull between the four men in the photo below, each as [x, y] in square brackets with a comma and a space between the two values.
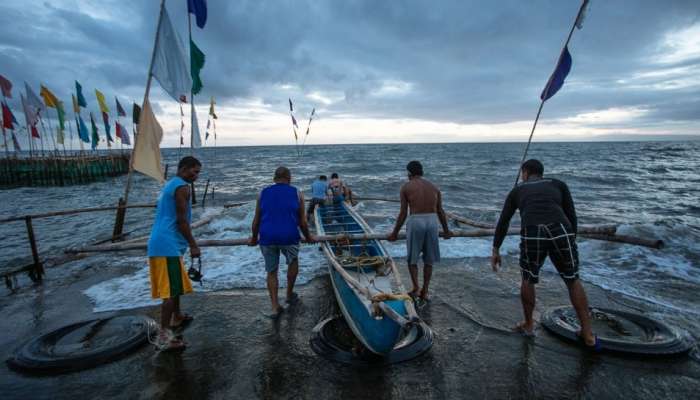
[365, 280]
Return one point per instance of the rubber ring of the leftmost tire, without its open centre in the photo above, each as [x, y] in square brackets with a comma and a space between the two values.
[32, 356]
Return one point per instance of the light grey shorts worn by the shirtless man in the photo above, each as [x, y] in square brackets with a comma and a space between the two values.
[422, 238]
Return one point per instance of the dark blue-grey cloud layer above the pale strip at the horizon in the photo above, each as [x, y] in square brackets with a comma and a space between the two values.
[453, 61]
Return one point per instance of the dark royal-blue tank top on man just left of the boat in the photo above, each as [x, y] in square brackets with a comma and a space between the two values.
[279, 215]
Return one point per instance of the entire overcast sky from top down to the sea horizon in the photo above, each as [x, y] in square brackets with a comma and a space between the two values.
[379, 71]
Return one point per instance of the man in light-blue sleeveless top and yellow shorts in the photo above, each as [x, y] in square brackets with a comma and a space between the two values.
[170, 237]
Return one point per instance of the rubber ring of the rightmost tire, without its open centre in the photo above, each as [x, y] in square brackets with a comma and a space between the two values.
[675, 342]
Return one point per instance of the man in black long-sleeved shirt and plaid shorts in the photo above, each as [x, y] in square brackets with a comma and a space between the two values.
[549, 225]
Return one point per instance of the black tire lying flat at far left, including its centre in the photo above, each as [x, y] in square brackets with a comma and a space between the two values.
[81, 345]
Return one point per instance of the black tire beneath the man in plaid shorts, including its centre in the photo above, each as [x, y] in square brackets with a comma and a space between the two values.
[630, 333]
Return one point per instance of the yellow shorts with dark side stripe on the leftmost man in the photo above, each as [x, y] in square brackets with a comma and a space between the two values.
[168, 277]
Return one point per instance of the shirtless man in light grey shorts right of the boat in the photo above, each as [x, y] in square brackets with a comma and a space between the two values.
[425, 203]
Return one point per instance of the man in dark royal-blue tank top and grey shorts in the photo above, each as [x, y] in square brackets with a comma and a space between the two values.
[279, 214]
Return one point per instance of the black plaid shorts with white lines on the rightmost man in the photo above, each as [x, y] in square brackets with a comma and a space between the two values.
[553, 240]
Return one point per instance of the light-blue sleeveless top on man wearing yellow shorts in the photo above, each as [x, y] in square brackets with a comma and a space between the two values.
[166, 239]
